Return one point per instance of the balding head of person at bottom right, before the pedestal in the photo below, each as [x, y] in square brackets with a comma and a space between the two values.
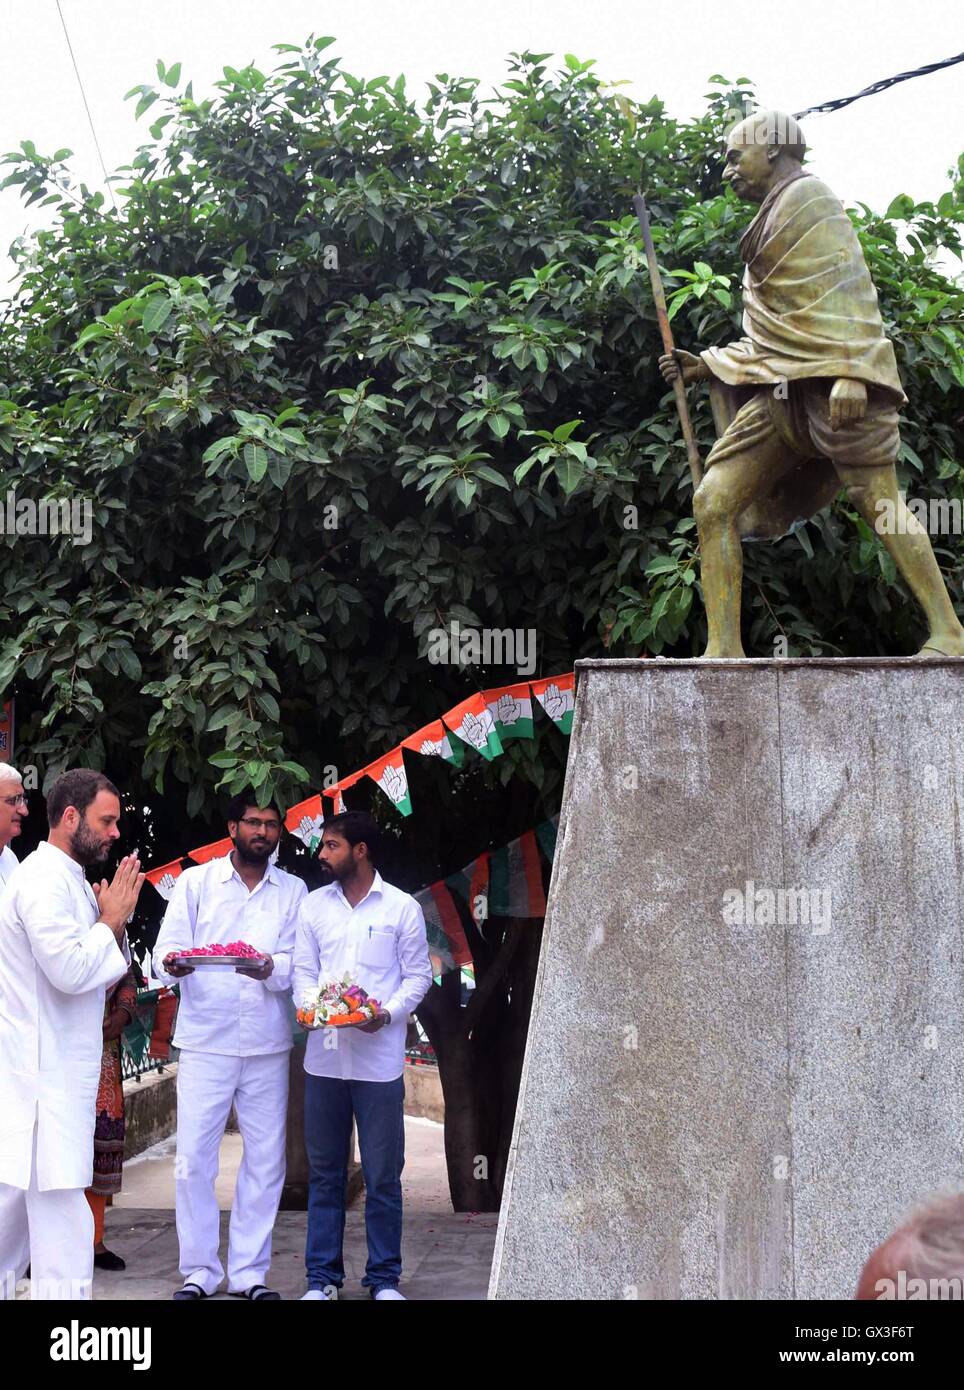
[923, 1260]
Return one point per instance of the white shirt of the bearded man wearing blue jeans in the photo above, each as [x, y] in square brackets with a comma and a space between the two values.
[381, 946]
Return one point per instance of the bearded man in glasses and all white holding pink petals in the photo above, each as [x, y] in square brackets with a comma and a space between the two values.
[234, 1031]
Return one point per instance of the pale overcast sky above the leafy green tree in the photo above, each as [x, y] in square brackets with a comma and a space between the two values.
[901, 141]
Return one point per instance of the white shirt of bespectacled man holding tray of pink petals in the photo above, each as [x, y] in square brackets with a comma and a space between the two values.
[220, 1010]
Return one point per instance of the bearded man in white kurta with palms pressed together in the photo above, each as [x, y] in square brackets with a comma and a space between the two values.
[62, 949]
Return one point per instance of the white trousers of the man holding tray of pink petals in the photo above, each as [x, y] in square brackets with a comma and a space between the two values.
[208, 1086]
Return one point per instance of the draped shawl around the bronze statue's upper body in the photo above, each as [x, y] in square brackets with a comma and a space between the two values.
[809, 302]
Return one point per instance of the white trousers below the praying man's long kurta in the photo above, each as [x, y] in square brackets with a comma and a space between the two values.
[52, 1232]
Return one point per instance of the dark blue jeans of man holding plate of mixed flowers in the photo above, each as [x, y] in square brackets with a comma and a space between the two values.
[379, 1113]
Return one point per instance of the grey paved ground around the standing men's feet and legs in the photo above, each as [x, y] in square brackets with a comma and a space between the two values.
[445, 1254]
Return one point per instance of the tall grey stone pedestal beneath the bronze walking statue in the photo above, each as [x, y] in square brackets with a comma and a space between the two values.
[747, 1053]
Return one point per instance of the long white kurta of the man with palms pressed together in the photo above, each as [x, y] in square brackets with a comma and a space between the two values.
[56, 964]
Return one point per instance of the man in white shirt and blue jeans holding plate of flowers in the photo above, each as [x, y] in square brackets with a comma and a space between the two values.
[363, 928]
